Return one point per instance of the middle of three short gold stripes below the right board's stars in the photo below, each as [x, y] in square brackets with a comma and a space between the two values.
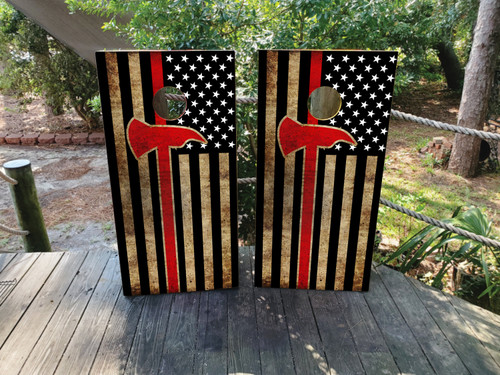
[345, 221]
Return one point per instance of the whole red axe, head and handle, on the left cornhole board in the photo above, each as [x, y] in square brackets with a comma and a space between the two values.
[144, 138]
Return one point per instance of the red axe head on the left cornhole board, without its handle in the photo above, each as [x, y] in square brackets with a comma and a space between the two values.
[144, 138]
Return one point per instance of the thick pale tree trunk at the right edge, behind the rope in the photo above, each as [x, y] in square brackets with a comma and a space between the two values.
[477, 88]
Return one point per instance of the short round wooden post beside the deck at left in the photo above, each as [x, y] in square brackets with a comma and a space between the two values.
[29, 213]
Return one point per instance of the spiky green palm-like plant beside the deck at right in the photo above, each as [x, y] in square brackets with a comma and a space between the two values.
[452, 249]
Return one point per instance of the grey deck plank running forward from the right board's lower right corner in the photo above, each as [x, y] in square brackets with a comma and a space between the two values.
[398, 336]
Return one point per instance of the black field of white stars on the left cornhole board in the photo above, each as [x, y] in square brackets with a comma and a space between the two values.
[207, 80]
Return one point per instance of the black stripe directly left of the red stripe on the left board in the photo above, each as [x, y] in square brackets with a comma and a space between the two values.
[149, 116]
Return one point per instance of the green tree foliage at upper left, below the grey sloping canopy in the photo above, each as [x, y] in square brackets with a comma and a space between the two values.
[35, 63]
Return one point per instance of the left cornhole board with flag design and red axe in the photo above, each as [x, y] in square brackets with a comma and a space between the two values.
[173, 174]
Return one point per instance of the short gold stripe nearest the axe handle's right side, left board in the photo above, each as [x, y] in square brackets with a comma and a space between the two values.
[187, 220]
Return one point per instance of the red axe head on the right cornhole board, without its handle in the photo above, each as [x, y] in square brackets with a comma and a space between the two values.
[293, 136]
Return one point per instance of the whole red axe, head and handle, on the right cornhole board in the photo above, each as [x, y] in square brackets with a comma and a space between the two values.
[294, 136]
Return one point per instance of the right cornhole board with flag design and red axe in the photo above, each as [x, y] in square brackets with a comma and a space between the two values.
[319, 177]
